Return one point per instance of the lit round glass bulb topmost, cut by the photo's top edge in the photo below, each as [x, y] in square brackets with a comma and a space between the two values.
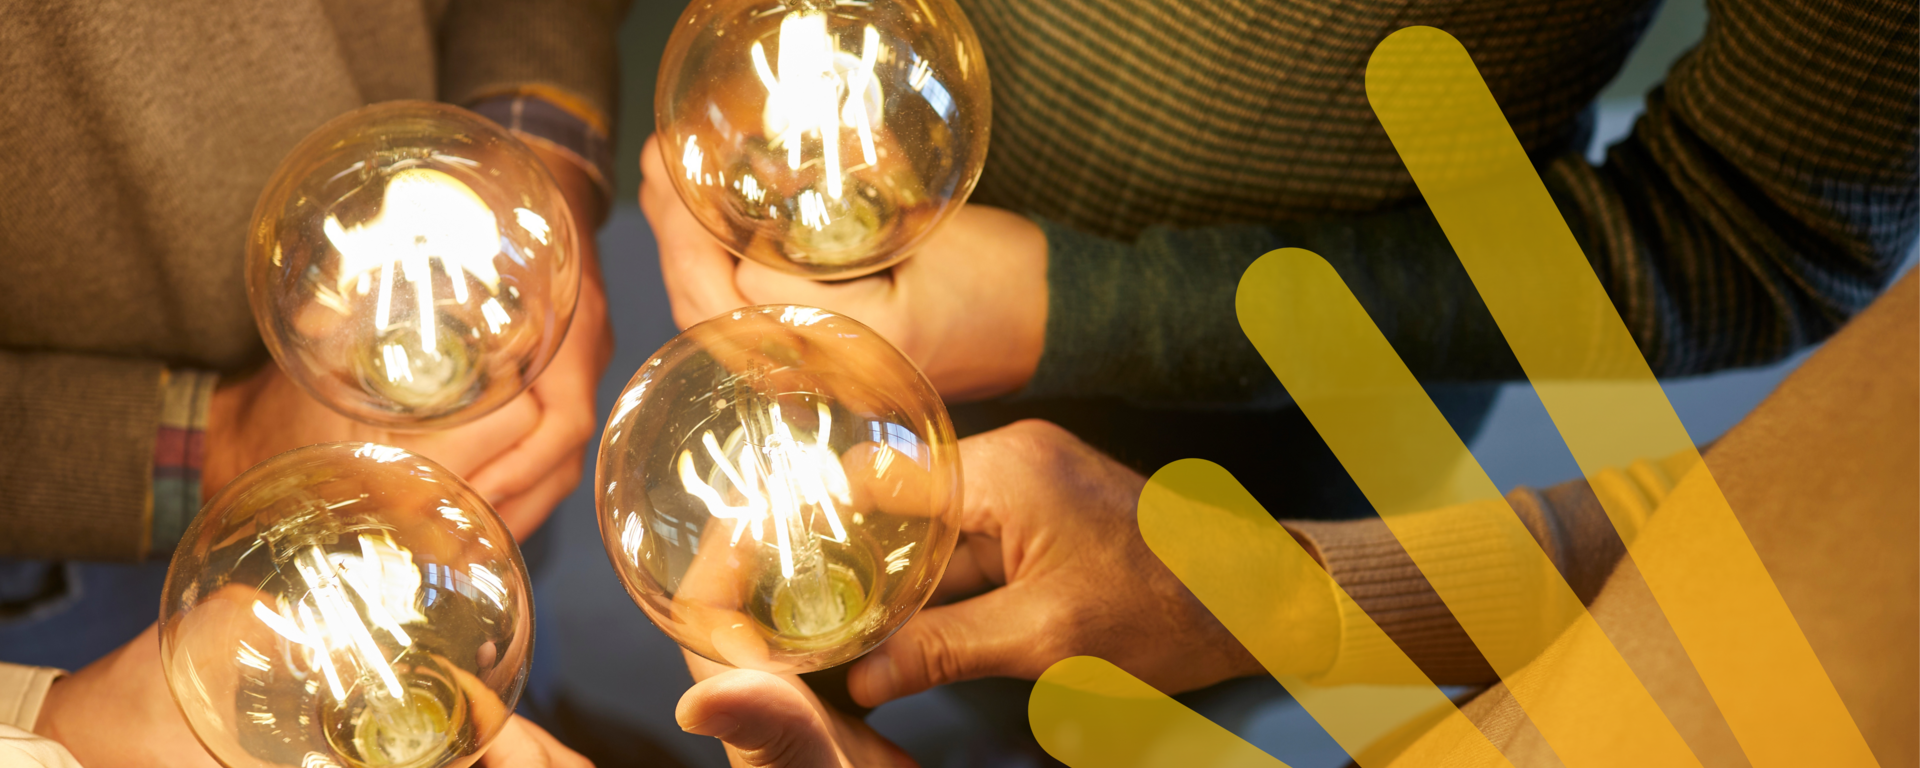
[821, 137]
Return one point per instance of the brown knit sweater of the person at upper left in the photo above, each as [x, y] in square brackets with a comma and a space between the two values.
[133, 143]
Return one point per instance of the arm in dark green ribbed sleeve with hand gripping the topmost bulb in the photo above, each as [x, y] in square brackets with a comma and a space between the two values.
[1762, 201]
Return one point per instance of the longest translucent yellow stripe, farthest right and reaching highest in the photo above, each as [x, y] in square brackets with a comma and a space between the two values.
[1602, 395]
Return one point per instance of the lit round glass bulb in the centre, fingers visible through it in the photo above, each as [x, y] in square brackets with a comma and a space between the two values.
[779, 489]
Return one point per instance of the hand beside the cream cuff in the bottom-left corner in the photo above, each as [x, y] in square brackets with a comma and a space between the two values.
[120, 713]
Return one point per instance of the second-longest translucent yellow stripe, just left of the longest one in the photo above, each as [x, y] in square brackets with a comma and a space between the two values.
[1391, 439]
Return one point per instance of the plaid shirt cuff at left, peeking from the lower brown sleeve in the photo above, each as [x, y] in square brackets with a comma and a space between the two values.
[180, 452]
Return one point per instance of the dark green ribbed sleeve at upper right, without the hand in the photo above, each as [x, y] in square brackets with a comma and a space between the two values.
[1764, 199]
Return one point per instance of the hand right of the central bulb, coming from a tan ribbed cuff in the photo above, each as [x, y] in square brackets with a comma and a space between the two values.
[1049, 525]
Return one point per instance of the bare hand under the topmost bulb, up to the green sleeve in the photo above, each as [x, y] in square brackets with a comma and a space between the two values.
[969, 306]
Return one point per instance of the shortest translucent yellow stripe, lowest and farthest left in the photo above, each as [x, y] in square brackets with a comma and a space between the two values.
[1090, 713]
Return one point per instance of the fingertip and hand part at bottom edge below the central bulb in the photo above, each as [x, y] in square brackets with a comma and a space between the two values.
[775, 721]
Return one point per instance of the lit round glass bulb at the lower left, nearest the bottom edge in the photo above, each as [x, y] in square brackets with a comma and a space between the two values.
[347, 606]
